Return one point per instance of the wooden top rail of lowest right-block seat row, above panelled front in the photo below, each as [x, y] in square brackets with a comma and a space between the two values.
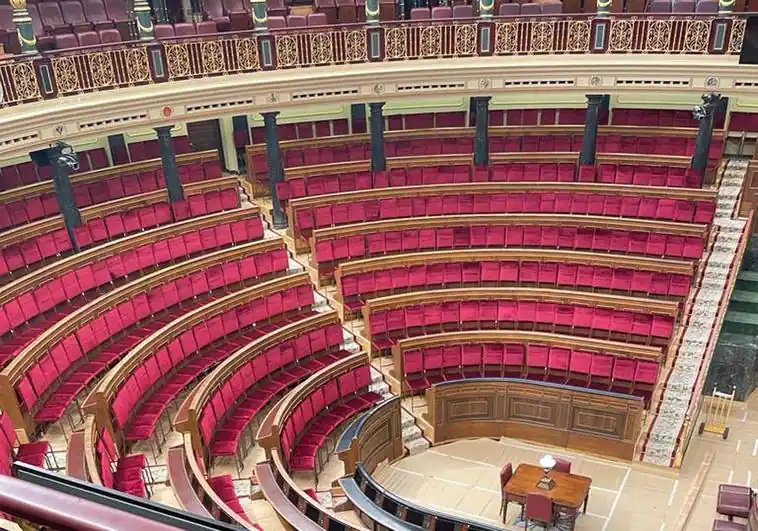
[481, 337]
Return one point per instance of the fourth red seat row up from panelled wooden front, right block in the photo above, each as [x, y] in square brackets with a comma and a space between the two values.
[332, 246]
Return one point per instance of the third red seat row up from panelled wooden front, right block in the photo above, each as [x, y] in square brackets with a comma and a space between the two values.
[361, 280]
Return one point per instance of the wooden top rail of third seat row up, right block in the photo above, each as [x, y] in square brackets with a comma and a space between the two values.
[381, 265]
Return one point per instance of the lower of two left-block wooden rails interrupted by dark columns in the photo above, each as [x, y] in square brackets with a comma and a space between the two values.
[47, 225]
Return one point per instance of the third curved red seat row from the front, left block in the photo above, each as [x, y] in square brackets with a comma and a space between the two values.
[164, 364]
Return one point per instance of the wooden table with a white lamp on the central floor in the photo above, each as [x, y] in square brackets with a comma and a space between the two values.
[570, 493]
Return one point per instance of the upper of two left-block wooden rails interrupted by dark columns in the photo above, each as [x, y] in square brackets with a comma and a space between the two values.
[22, 192]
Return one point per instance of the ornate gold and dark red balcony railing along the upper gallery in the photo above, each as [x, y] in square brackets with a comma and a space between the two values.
[76, 71]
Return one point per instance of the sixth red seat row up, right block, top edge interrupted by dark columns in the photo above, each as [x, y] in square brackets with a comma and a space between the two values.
[307, 181]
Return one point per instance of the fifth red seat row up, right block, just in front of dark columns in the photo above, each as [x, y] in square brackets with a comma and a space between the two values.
[309, 213]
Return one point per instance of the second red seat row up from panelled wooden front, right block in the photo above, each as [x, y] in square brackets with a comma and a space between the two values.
[630, 319]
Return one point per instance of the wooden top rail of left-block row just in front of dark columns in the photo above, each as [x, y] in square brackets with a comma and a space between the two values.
[59, 268]
